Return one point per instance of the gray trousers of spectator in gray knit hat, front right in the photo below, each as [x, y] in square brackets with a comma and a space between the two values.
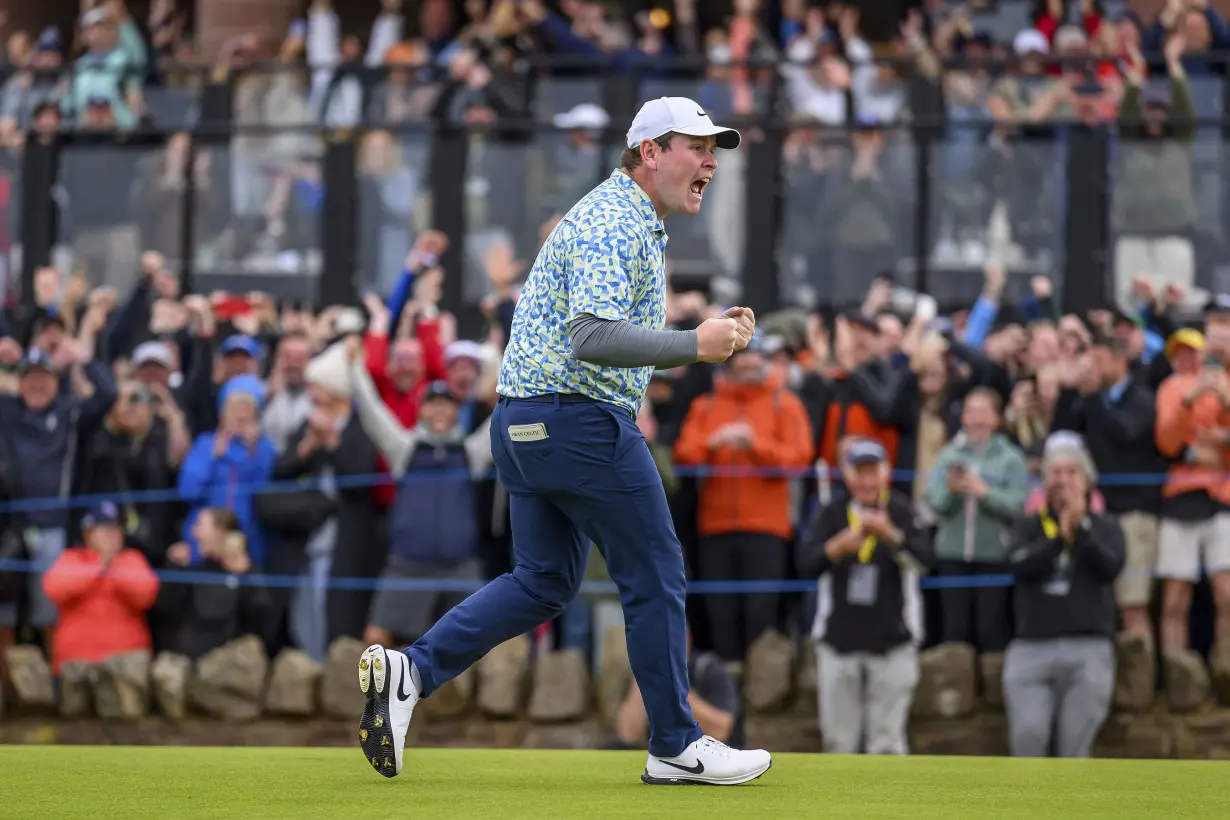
[1058, 689]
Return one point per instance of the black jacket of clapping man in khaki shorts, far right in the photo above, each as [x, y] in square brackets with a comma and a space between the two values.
[1120, 437]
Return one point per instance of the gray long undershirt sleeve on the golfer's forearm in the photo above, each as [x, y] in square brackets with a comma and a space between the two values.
[623, 345]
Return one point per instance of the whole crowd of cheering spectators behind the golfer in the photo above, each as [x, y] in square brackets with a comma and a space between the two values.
[991, 437]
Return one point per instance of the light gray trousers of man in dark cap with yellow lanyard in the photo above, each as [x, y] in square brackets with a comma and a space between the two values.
[865, 700]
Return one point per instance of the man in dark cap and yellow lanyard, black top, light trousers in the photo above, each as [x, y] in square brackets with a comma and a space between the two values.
[868, 554]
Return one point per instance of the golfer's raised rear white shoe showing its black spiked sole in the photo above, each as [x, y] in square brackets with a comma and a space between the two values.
[386, 680]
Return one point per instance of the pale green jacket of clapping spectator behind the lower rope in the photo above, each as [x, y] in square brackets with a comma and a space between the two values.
[985, 538]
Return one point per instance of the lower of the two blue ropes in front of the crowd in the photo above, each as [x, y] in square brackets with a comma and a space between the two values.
[452, 586]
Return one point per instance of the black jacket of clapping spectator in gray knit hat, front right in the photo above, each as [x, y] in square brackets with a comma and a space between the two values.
[1066, 591]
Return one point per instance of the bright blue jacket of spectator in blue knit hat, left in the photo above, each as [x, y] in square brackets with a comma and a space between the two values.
[231, 481]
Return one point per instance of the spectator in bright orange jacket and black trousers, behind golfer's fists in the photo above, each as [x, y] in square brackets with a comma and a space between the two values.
[750, 422]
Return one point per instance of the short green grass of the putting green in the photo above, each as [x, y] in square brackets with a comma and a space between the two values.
[309, 784]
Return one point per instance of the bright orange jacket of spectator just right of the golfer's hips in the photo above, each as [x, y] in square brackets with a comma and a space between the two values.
[783, 440]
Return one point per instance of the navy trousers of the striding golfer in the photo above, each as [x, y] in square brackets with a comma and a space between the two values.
[590, 479]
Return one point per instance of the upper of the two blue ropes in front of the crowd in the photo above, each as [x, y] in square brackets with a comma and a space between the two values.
[373, 480]
